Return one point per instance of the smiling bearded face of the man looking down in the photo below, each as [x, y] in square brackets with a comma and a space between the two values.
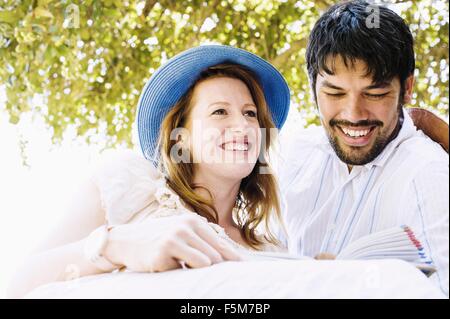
[358, 115]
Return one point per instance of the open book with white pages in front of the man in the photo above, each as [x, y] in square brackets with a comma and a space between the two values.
[394, 243]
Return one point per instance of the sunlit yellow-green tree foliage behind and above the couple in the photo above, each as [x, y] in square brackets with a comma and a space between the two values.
[90, 72]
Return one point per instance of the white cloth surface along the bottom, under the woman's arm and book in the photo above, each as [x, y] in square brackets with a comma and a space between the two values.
[268, 279]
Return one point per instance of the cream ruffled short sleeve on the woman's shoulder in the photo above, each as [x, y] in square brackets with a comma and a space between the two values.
[131, 189]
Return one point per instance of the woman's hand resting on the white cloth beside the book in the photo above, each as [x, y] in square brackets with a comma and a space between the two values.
[164, 243]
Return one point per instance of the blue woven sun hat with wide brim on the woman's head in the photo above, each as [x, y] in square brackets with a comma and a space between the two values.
[173, 79]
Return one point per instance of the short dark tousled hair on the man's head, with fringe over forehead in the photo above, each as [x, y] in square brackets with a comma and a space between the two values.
[349, 30]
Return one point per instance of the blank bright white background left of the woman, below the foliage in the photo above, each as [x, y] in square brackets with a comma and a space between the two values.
[33, 198]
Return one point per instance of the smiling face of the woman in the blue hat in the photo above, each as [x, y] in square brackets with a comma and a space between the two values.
[224, 130]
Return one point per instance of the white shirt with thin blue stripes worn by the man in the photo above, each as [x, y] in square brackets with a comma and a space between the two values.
[325, 207]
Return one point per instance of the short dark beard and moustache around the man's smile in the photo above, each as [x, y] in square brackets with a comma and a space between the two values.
[357, 156]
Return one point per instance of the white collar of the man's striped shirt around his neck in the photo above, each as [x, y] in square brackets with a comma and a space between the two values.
[406, 131]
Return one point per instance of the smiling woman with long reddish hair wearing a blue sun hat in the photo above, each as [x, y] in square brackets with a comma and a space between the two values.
[202, 188]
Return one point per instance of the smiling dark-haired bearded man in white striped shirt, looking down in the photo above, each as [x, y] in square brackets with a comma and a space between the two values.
[368, 169]
